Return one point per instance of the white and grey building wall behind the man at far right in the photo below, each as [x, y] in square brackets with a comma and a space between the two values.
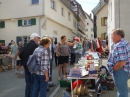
[118, 17]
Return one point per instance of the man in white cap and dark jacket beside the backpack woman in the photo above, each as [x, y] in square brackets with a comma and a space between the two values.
[27, 51]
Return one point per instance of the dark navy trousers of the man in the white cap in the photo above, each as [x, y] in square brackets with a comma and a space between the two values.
[29, 83]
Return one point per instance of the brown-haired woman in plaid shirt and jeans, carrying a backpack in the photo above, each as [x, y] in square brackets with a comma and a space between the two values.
[41, 77]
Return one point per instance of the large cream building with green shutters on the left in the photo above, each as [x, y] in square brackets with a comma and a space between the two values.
[45, 17]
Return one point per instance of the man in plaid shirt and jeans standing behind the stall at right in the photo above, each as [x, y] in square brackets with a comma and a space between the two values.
[119, 61]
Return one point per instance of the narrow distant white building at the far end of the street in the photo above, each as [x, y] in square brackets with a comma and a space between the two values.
[89, 27]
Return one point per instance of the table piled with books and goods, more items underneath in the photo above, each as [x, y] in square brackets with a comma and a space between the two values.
[84, 76]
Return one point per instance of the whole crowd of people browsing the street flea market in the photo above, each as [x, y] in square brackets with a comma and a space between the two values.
[46, 49]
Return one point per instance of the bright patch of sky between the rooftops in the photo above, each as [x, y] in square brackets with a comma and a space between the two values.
[88, 5]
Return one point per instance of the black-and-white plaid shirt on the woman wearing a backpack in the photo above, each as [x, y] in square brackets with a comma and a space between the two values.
[42, 59]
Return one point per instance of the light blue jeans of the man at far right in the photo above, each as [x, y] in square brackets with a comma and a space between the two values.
[120, 79]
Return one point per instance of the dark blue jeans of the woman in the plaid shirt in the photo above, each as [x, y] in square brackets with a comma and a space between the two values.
[40, 85]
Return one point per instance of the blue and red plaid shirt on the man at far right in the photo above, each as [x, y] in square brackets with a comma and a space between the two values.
[120, 52]
